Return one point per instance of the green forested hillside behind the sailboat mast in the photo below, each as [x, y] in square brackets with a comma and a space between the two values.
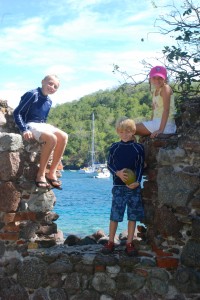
[75, 118]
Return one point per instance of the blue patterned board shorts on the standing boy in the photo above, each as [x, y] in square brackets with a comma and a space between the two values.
[125, 197]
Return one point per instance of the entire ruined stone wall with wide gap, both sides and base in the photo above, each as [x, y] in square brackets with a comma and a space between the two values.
[35, 262]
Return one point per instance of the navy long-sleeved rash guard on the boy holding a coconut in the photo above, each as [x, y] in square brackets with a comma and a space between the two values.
[128, 155]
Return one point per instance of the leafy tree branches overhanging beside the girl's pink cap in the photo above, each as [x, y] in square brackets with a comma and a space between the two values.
[183, 59]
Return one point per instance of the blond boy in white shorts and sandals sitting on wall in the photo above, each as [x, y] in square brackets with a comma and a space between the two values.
[30, 116]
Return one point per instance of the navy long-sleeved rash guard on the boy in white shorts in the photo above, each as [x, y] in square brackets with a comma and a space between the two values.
[33, 107]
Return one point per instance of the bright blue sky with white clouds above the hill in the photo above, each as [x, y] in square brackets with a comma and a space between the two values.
[80, 41]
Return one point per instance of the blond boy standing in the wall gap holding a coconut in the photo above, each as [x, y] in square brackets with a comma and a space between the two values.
[125, 154]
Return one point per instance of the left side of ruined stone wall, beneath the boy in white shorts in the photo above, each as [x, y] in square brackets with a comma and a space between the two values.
[25, 211]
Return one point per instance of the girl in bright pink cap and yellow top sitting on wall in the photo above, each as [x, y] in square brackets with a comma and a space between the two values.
[162, 120]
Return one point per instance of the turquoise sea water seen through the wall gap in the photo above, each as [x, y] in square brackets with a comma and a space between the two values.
[84, 205]
